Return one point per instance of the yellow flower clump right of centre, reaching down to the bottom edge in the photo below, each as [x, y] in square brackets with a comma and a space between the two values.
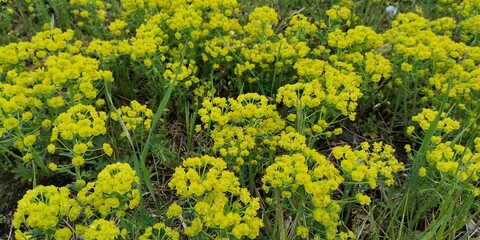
[302, 171]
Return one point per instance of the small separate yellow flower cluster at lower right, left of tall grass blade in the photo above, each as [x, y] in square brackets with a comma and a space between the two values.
[369, 165]
